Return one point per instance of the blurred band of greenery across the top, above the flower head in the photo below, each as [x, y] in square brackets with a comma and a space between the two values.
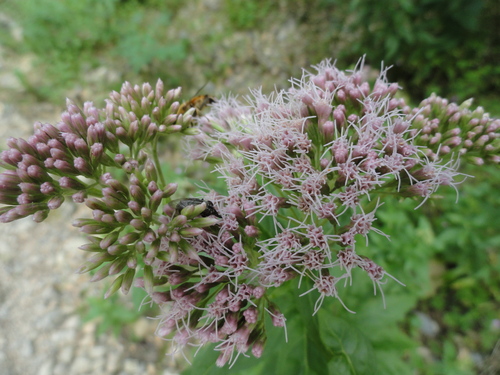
[448, 47]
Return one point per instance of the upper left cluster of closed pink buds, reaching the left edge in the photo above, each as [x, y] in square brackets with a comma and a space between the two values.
[49, 166]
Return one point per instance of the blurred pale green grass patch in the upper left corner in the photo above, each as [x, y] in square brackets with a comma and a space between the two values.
[72, 38]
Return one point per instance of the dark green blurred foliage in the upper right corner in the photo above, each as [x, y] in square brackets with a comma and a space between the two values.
[448, 47]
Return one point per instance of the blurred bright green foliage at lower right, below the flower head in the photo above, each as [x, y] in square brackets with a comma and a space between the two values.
[448, 254]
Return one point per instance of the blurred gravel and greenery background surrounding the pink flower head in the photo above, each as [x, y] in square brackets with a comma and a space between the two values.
[54, 322]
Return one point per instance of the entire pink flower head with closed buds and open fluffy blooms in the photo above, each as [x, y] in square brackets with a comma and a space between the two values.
[304, 172]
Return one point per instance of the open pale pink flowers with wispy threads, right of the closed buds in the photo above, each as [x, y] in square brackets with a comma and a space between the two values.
[306, 170]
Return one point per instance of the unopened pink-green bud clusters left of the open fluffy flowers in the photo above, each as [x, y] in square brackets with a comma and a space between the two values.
[133, 220]
